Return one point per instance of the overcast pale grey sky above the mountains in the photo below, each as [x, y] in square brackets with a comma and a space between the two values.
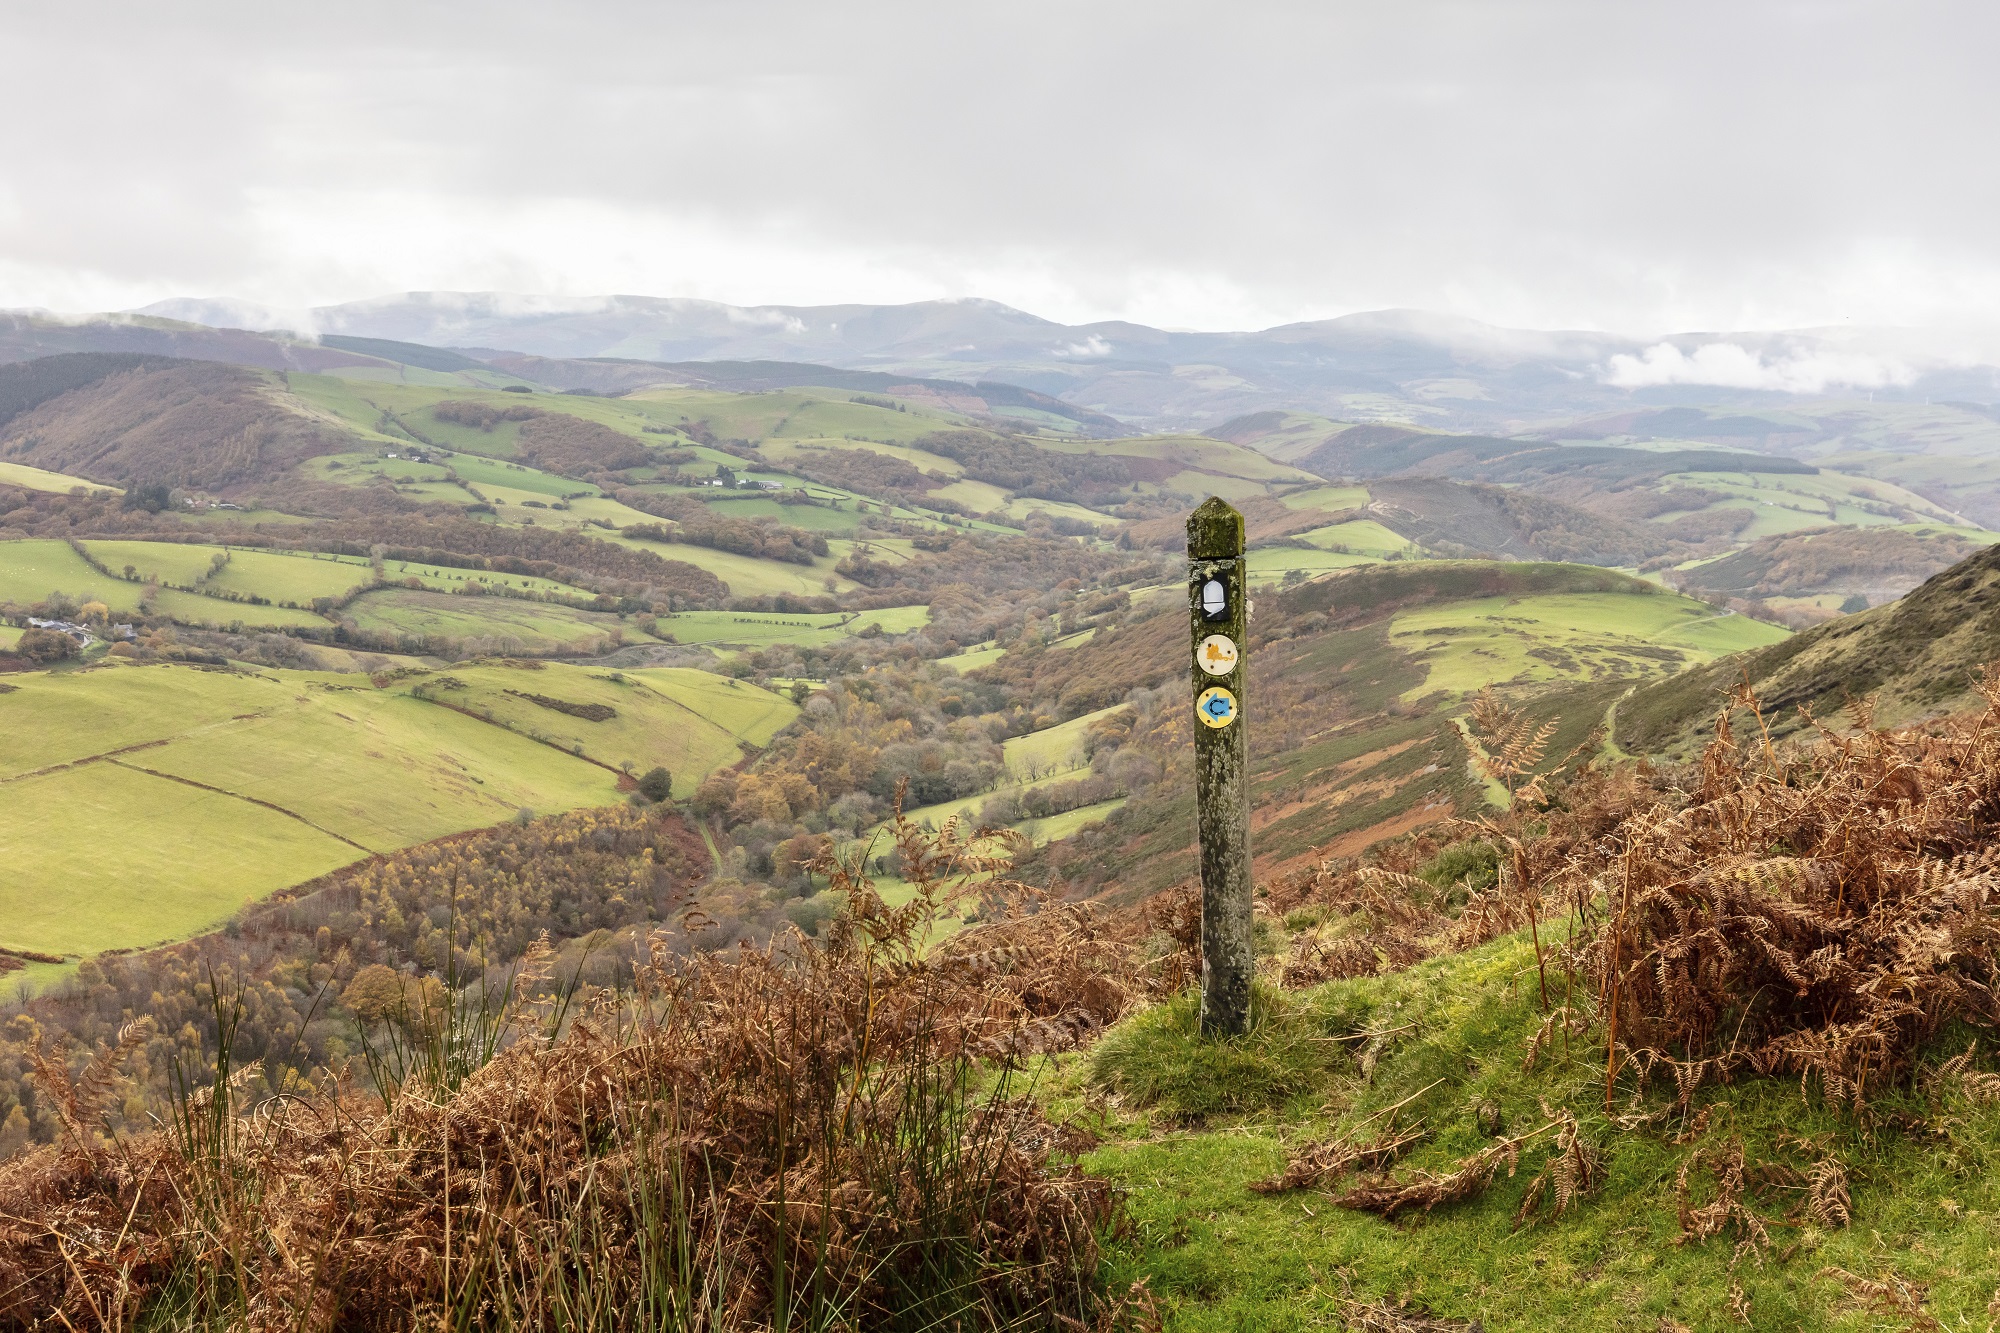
[1557, 165]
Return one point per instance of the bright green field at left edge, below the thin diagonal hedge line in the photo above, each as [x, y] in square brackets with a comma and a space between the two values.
[109, 858]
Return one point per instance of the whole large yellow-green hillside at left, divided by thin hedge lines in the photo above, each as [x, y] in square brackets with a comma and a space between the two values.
[147, 804]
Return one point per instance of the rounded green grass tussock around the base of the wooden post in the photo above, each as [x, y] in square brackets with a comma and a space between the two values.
[1163, 1062]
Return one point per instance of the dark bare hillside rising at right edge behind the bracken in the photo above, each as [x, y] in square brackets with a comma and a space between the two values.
[1917, 655]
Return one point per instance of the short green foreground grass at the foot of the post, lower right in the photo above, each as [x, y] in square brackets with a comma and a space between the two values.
[1195, 1124]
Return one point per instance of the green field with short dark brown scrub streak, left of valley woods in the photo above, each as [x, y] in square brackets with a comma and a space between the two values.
[683, 722]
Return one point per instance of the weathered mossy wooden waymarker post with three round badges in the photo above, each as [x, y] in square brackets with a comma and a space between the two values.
[1219, 619]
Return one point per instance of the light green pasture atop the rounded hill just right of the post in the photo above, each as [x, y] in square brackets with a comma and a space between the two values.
[1567, 637]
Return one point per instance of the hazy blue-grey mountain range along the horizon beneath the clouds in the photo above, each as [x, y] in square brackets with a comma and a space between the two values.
[1387, 365]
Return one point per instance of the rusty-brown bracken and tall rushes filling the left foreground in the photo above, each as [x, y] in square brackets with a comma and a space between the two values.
[817, 1136]
